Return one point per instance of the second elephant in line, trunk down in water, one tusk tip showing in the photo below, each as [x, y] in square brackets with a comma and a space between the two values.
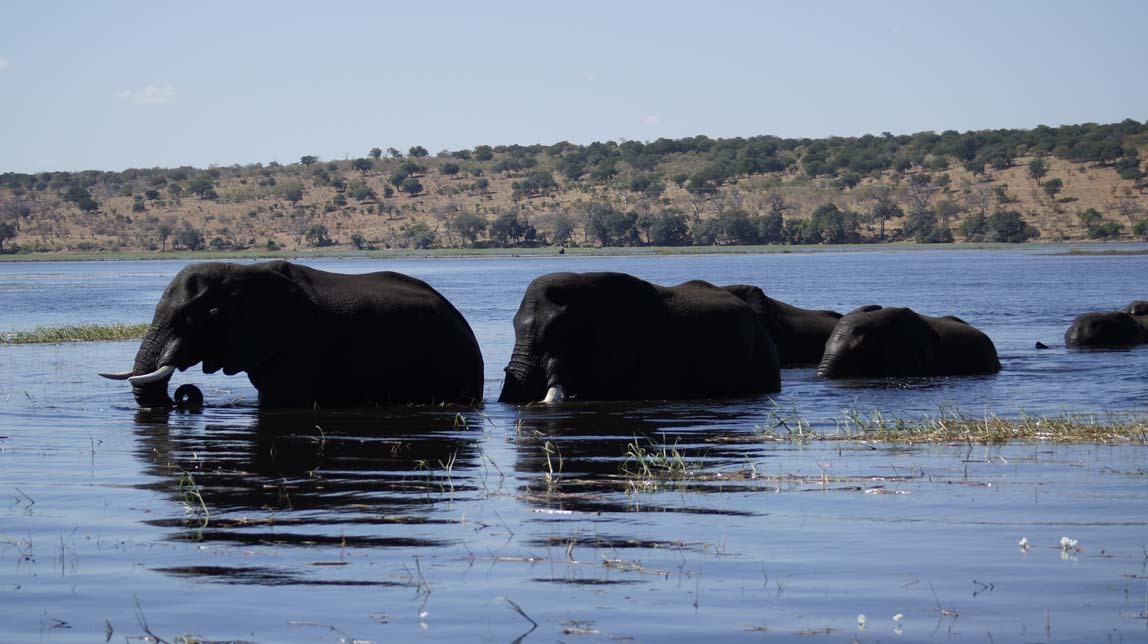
[608, 336]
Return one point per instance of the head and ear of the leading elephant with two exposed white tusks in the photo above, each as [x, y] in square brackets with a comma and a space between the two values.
[230, 317]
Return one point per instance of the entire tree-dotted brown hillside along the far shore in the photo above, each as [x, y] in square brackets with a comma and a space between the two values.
[1048, 184]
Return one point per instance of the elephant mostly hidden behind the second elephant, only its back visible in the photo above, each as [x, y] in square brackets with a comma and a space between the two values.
[800, 335]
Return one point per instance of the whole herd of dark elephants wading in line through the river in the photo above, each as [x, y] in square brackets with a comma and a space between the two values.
[308, 338]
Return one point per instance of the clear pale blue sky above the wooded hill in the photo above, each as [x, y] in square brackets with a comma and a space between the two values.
[89, 86]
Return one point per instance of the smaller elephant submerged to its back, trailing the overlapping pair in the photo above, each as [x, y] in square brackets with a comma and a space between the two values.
[879, 343]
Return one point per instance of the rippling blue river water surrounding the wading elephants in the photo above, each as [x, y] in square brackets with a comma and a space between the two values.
[431, 525]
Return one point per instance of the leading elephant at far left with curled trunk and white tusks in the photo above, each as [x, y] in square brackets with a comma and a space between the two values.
[309, 338]
